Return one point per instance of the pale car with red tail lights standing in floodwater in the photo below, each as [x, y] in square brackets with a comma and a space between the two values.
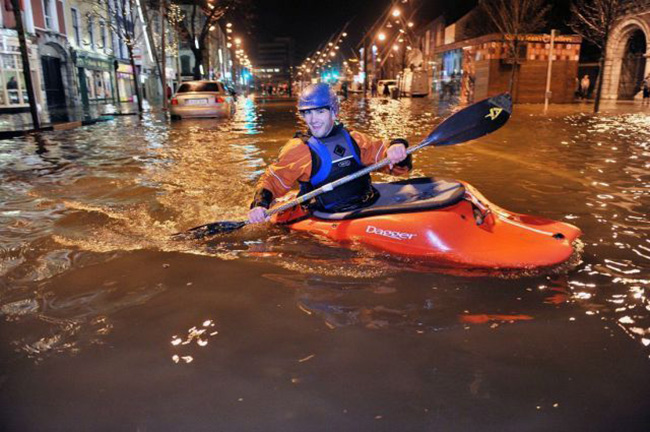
[202, 99]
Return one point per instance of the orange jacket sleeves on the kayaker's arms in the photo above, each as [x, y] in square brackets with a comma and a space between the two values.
[294, 163]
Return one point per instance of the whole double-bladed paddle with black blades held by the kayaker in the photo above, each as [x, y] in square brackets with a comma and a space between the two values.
[472, 122]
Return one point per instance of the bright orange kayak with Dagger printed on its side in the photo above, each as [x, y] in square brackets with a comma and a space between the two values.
[445, 222]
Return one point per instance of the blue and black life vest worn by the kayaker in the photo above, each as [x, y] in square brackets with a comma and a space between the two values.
[334, 157]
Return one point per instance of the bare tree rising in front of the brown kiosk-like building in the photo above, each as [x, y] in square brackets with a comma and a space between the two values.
[514, 19]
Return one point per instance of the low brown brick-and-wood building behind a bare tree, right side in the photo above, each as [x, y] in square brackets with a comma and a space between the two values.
[461, 64]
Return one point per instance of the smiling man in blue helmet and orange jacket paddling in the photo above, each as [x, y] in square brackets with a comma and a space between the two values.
[327, 153]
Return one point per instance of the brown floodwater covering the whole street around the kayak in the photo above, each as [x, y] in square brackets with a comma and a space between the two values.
[106, 324]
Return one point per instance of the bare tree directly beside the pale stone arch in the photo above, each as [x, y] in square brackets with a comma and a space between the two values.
[594, 20]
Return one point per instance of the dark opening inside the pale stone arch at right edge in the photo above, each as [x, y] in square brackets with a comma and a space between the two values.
[632, 65]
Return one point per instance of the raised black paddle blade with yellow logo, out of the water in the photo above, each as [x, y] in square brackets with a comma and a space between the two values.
[473, 122]
